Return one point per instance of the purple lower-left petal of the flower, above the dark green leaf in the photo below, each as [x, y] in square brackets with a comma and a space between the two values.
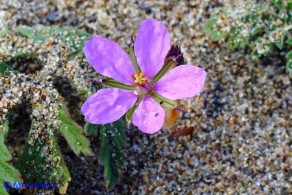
[107, 105]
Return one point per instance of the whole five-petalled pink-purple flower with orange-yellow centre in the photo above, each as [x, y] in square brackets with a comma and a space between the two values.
[142, 85]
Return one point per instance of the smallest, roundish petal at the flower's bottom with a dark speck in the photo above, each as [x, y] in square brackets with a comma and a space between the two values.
[149, 116]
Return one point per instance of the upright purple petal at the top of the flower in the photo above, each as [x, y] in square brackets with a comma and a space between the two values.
[151, 46]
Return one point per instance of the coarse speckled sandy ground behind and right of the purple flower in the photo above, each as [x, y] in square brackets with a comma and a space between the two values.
[240, 142]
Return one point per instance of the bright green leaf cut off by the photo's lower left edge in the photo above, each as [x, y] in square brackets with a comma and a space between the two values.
[7, 172]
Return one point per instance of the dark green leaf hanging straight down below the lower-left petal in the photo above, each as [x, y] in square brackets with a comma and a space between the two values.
[111, 154]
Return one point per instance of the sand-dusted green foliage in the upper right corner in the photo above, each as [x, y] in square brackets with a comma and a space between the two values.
[252, 24]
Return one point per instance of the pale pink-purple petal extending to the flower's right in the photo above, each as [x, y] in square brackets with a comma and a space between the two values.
[181, 82]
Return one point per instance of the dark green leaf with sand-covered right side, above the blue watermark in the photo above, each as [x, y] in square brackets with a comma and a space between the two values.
[34, 164]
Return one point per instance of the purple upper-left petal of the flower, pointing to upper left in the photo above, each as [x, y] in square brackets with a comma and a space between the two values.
[109, 59]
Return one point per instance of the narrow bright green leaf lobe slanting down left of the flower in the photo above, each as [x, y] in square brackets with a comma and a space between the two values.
[73, 133]
